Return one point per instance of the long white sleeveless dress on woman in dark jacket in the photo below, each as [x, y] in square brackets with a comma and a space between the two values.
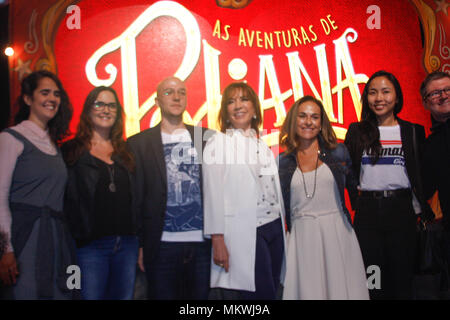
[323, 256]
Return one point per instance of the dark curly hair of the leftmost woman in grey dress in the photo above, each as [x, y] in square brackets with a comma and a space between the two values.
[58, 126]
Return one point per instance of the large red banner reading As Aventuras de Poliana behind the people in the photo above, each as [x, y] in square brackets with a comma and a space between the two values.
[284, 49]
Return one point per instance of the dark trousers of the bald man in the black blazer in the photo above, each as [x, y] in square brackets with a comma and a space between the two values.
[180, 271]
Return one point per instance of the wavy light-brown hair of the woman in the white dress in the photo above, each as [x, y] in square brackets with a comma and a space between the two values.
[288, 136]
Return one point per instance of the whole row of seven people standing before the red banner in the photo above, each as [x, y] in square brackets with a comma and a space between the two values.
[213, 215]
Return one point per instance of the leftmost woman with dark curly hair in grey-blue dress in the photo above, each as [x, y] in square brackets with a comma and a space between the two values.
[39, 247]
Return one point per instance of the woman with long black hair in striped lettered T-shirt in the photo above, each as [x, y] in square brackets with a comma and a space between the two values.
[387, 166]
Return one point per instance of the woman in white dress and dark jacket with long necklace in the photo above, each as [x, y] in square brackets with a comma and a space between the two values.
[323, 255]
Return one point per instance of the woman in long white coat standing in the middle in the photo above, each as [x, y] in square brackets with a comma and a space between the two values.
[243, 206]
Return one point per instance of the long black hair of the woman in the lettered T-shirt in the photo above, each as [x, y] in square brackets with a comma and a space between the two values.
[370, 134]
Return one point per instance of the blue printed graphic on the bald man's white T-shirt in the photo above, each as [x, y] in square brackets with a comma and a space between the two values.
[184, 210]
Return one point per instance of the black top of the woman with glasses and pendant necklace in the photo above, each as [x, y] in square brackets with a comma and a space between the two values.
[112, 209]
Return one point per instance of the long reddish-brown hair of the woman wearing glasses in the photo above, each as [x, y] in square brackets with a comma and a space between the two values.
[83, 136]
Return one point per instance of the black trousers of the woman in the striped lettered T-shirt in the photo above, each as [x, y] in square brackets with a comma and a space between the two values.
[386, 230]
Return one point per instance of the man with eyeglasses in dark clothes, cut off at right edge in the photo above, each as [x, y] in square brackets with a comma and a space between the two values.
[435, 92]
